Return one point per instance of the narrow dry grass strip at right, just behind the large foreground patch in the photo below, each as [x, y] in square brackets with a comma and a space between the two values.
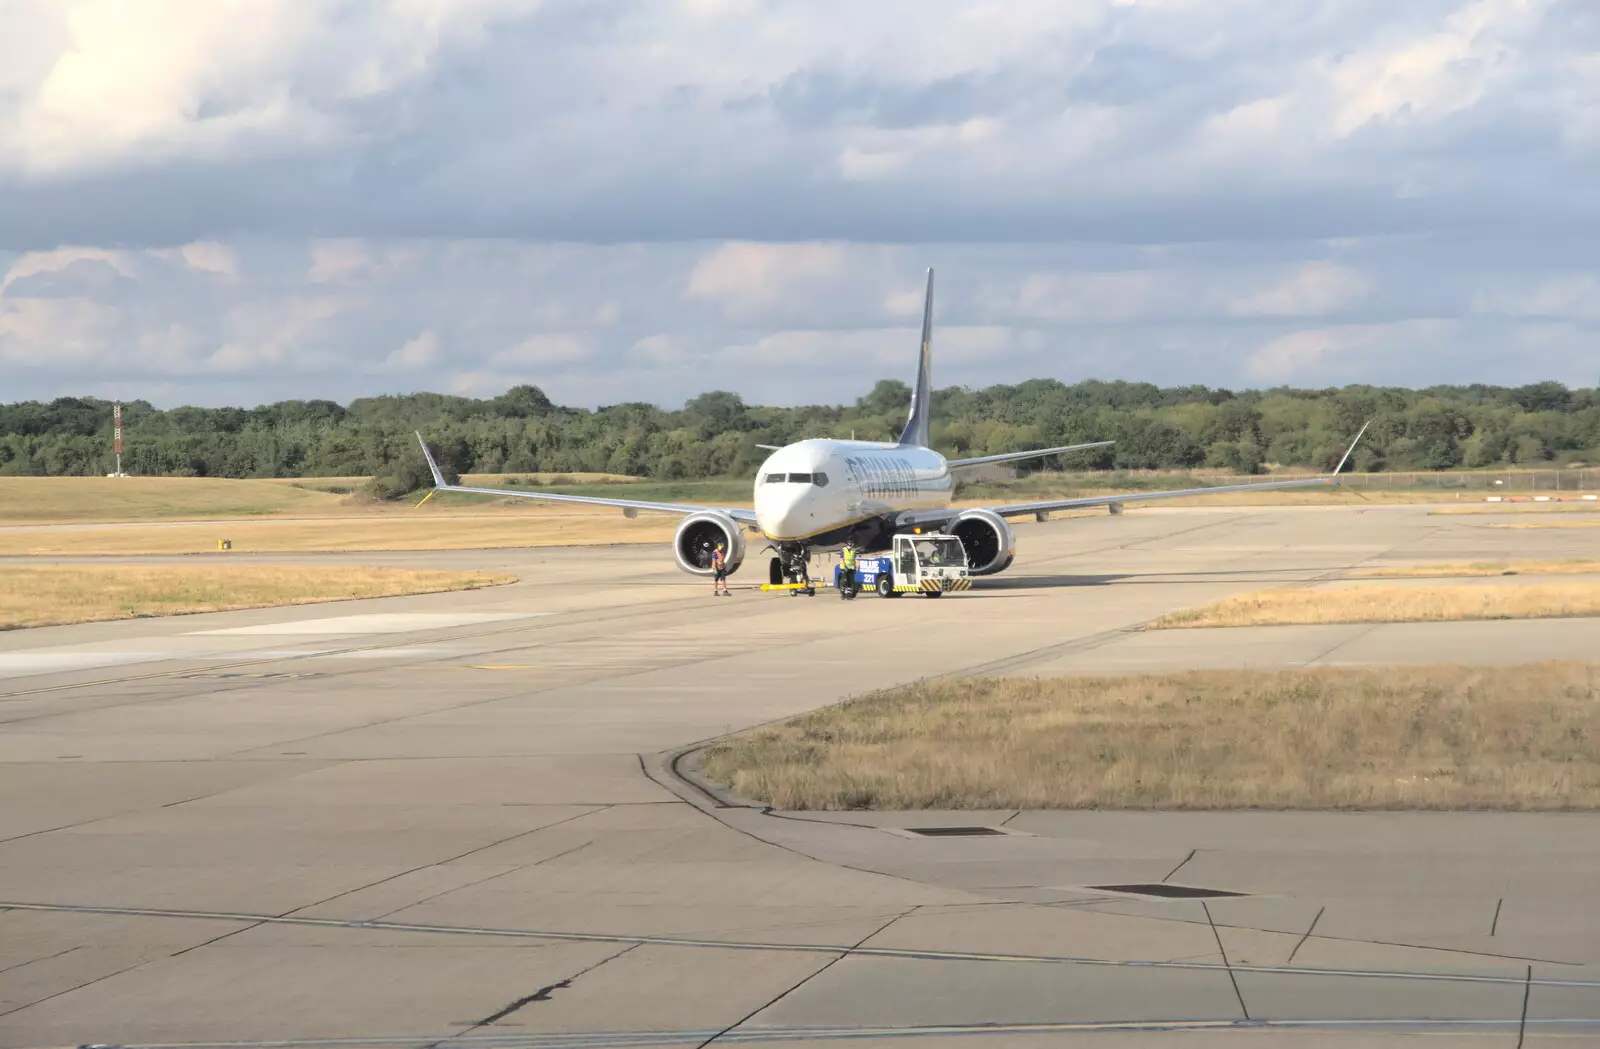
[1300, 607]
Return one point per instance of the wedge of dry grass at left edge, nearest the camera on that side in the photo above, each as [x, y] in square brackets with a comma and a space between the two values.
[39, 596]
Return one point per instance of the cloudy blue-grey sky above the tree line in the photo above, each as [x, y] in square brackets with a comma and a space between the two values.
[233, 202]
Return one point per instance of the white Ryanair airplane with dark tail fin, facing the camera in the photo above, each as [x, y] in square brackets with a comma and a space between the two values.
[820, 493]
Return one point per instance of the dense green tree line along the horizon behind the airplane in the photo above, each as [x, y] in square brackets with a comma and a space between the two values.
[718, 434]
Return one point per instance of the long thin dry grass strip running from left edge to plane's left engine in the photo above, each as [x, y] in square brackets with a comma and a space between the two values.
[420, 530]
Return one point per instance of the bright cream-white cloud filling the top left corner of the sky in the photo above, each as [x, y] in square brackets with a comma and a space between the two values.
[164, 79]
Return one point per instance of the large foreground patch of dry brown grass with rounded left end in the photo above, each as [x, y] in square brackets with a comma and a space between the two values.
[1390, 738]
